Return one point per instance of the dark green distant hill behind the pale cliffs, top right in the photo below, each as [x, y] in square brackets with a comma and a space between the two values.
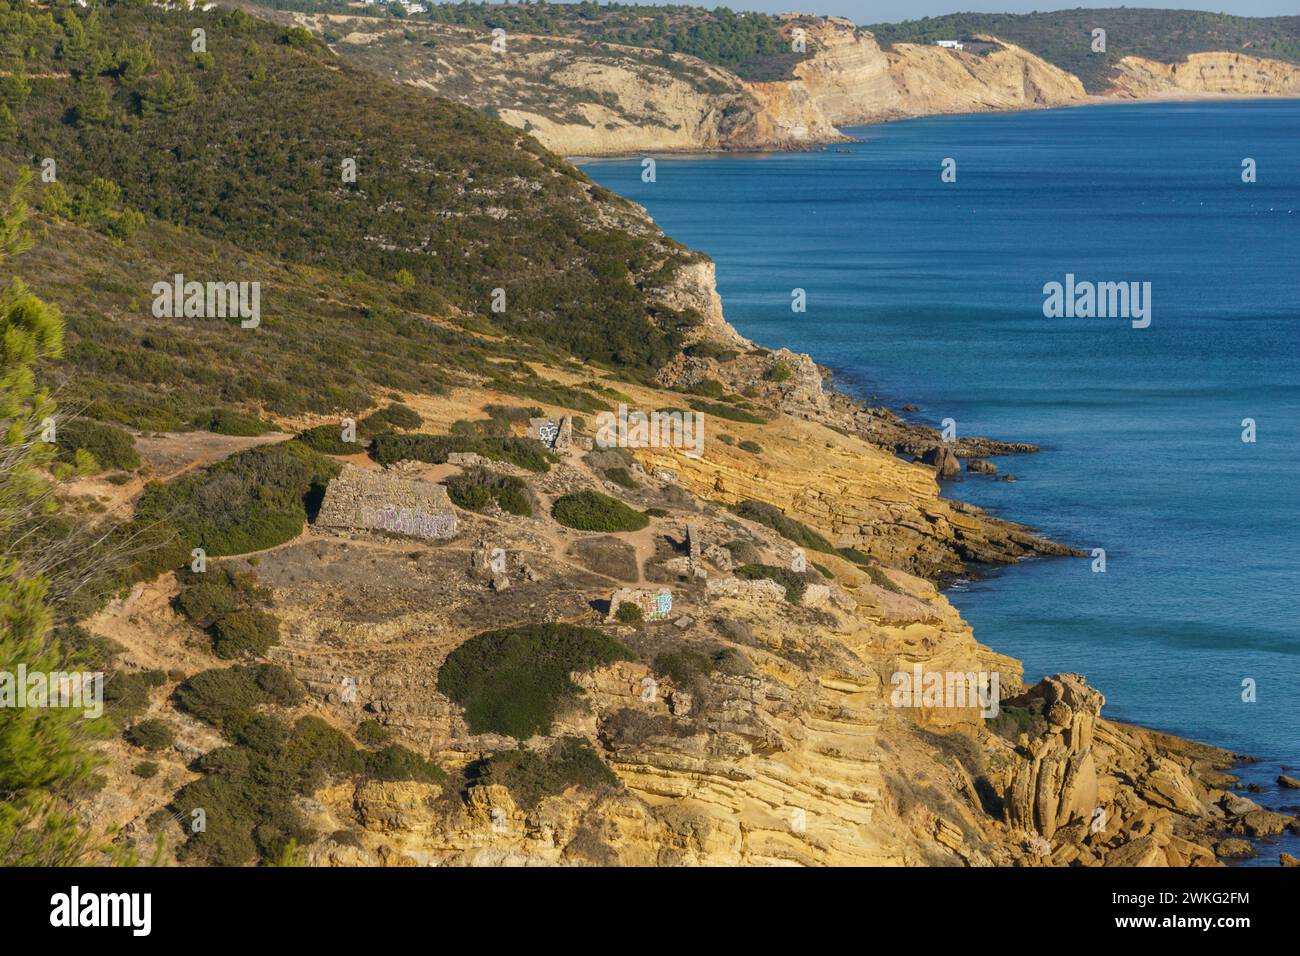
[1064, 38]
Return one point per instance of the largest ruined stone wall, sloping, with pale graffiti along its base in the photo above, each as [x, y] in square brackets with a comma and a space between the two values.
[362, 500]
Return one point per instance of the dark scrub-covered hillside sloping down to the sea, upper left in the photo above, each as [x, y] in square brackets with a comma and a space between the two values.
[246, 137]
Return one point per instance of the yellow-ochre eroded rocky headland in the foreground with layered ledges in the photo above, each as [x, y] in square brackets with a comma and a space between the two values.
[753, 725]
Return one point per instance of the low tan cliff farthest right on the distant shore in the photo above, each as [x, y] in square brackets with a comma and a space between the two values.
[1207, 73]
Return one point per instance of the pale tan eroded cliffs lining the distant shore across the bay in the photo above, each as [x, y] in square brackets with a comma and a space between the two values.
[596, 100]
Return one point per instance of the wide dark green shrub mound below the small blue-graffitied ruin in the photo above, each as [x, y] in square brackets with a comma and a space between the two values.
[513, 681]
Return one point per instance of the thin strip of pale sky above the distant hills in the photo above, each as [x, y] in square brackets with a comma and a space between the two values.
[892, 11]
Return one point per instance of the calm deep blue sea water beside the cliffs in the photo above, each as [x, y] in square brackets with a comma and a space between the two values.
[933, 293]
